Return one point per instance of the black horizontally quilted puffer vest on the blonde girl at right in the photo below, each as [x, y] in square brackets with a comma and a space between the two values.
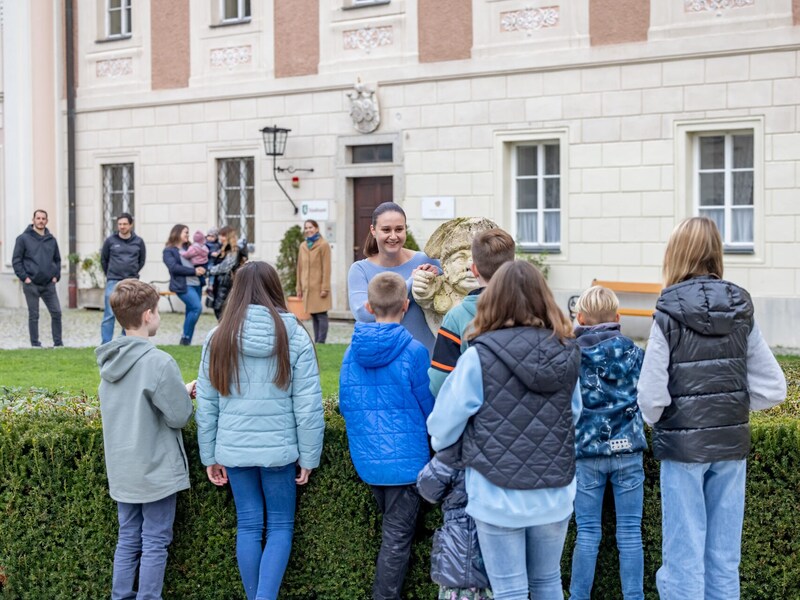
[706, 322]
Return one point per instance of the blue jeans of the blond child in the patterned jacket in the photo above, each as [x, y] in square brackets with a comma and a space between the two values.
[626, 474]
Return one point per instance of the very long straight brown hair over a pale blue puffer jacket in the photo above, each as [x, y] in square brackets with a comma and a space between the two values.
[254, 283]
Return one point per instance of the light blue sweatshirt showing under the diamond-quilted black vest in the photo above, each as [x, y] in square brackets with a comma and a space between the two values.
[460, 397]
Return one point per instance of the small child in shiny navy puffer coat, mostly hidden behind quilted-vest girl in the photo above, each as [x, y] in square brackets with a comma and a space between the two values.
[456, 561]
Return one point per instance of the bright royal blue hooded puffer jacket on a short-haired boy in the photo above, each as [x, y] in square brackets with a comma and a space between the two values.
[384, 398]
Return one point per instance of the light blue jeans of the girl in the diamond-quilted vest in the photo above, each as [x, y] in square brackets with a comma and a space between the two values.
[524, 559]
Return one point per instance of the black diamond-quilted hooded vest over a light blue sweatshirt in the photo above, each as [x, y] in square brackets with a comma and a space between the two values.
[523, 437]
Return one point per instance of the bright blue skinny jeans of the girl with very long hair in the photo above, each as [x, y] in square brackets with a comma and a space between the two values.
[262, 567]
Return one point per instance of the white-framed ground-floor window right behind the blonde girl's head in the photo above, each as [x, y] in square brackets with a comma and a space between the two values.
[723, 185]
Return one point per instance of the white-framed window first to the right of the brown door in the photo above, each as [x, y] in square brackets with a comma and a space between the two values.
[536, 195]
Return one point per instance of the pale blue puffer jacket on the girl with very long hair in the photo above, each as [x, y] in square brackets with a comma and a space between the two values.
[261, 425]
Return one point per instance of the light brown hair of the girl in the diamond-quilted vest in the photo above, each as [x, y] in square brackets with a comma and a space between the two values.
[518, 296]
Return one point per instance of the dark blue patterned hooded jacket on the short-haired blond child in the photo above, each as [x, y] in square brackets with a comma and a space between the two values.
[611, 422]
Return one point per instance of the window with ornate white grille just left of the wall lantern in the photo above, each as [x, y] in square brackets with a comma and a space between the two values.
[236, 195]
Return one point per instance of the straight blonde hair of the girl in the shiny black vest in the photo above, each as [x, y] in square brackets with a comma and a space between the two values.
[693, 249]
